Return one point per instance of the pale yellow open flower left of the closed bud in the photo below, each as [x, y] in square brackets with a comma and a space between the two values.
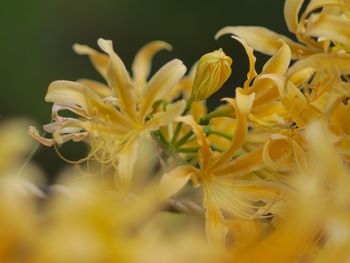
[112, 125]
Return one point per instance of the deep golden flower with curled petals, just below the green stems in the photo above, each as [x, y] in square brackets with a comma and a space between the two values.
[219, 176]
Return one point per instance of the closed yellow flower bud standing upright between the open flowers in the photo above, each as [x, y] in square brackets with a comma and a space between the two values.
[213, 70]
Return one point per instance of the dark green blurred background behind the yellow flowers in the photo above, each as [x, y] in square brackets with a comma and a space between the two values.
[36, 38]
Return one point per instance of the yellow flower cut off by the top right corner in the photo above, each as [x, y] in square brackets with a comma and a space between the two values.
[331, 25]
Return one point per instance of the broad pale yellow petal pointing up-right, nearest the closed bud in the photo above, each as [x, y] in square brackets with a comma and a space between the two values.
[161, 83]
